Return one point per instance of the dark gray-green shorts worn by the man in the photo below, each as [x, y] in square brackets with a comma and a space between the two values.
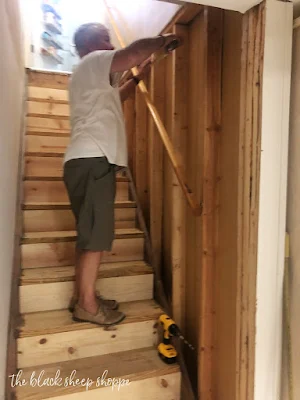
[91, 187]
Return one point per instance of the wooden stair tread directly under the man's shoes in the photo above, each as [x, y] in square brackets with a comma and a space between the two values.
[50, 322]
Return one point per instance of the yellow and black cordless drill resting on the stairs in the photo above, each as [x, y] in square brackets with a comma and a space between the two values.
[166, 350]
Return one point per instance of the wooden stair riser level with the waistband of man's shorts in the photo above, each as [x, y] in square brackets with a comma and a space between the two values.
[51, 168]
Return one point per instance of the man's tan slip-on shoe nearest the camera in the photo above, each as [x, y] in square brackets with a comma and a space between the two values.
[104, 316]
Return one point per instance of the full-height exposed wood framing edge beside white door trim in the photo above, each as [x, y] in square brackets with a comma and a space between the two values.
[248, 200]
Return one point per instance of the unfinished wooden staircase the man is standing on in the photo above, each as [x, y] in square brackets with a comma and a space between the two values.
[50, 344]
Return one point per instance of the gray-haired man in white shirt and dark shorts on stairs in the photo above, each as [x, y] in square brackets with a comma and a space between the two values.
[98, 146]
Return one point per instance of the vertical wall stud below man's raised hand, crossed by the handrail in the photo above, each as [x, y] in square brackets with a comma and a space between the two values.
[179, 135]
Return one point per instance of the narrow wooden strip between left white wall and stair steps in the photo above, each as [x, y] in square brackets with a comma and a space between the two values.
[14, 310]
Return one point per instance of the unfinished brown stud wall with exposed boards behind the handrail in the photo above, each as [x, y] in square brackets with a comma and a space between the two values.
[204, 128]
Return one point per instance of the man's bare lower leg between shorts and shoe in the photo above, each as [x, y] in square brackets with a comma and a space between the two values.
[87, 271]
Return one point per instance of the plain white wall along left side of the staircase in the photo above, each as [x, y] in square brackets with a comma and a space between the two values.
[11, 98]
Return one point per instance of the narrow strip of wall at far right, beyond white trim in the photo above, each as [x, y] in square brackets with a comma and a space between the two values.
[293, 223]
